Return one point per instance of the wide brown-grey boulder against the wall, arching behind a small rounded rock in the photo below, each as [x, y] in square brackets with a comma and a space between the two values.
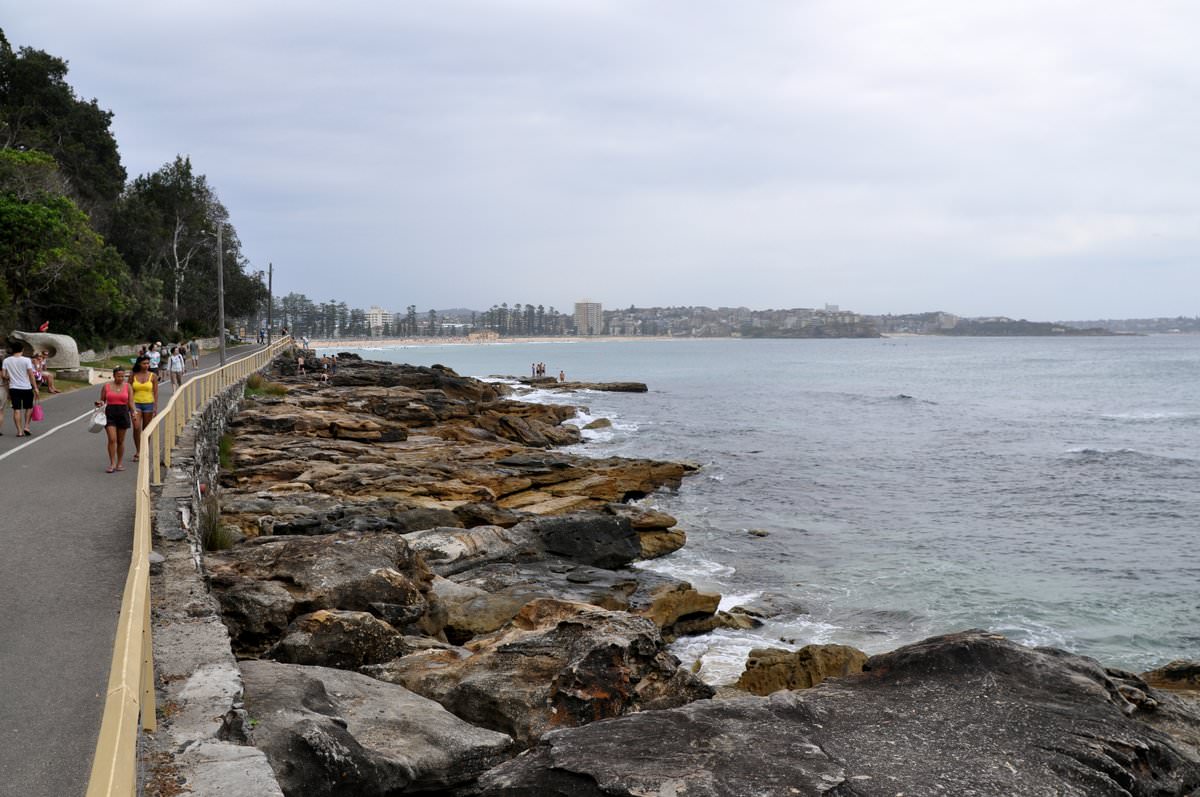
[267, 583]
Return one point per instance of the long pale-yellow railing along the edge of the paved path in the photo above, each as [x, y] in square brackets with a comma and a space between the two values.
[131, 680]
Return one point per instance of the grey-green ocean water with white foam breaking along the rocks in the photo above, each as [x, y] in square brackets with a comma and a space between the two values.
[1045, 489]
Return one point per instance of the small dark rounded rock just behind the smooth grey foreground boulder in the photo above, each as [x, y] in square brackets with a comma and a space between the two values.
[338, 639]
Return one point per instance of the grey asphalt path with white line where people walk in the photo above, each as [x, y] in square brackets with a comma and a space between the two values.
[67, 532]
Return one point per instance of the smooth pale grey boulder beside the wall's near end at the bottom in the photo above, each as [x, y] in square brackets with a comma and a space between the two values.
[332, 734]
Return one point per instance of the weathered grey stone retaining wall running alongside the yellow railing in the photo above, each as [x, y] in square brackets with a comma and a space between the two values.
[199, 684]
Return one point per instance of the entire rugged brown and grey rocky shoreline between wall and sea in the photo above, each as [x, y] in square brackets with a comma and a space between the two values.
[427, 597]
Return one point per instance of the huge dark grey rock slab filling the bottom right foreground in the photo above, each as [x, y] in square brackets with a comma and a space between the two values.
[961, 715]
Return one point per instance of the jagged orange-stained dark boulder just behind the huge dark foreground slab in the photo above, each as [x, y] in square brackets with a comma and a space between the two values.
[556, 666]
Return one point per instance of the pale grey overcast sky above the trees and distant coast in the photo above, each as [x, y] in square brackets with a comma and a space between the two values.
[1030, 159]
